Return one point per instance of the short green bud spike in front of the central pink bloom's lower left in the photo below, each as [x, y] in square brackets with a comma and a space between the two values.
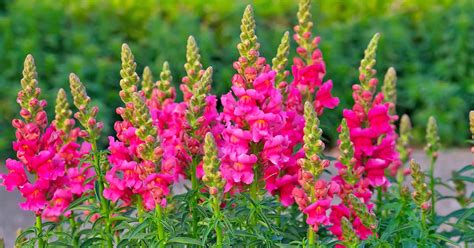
[211, 164]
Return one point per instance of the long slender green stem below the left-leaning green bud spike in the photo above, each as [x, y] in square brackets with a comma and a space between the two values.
[105, 211]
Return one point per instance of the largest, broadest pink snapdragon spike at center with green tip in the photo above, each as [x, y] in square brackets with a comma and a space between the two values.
[255, 146]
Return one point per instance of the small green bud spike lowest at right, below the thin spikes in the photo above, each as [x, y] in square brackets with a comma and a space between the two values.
[421, 194]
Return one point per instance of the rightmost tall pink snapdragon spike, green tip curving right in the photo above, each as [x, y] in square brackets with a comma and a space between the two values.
[369, 123]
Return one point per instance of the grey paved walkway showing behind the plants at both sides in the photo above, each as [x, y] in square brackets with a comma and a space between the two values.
[12, 217]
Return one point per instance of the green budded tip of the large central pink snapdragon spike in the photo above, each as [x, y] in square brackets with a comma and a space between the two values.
[248, 46]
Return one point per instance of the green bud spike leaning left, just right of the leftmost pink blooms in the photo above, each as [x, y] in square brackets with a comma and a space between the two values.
[86, 115]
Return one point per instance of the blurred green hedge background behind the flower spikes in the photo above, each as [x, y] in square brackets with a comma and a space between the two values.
[431, 44]
